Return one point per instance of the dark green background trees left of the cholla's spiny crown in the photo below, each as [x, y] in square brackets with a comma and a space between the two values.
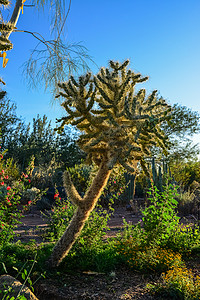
[22, 141]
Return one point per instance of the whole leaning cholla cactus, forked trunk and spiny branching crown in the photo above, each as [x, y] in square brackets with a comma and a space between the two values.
[118, 128]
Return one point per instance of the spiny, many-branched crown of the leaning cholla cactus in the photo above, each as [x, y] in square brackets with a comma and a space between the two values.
[115, 121]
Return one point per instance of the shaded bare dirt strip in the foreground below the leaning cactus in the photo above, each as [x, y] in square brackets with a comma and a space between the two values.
[121, 284]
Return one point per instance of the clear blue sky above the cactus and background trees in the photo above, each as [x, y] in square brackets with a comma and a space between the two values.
[161, 38]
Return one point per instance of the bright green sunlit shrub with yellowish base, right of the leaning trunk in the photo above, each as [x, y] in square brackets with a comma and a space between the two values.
[158, 240]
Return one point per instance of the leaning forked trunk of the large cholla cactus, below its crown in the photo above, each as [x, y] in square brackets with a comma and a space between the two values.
[84, 208]
